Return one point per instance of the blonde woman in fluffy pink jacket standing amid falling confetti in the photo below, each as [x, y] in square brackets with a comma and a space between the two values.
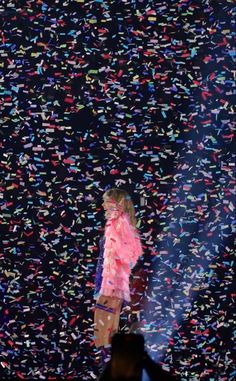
[120, 249]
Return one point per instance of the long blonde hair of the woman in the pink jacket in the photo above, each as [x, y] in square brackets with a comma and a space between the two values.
[118, 195]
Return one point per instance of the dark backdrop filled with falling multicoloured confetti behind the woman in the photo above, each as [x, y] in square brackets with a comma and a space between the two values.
[132, 94]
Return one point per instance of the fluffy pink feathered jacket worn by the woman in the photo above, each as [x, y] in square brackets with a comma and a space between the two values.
[122, 249]
